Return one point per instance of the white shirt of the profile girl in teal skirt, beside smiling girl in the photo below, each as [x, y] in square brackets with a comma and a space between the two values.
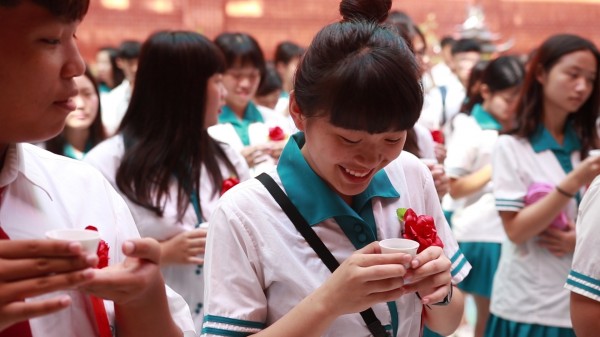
[476, 219]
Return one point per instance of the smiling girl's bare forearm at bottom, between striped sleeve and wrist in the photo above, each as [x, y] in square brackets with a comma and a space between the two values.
[309, 318]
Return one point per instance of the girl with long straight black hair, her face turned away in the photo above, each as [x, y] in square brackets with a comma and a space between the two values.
[163, 161]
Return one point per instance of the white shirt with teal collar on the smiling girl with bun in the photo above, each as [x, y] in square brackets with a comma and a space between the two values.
[270, 266]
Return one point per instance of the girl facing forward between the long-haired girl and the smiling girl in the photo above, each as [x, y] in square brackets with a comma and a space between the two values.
[242, 124]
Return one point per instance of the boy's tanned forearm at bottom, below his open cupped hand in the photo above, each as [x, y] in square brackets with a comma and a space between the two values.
[147, 318]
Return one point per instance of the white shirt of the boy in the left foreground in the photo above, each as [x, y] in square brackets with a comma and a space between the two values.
[46, 191]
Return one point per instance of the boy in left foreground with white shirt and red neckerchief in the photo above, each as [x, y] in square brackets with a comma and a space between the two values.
[40, 191]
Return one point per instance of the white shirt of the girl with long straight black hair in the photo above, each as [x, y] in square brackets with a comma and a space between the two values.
[187, 280]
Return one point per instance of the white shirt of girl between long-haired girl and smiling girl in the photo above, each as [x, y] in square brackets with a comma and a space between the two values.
[258, 134]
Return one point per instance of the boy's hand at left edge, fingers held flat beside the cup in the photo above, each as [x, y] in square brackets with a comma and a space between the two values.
[66, 266]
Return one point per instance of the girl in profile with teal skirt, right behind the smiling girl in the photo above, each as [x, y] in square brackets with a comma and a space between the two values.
[477, 225]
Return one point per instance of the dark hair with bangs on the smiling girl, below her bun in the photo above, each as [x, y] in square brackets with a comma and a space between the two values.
[375, 86]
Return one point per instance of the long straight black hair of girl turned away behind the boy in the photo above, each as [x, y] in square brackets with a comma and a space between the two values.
[163, 128]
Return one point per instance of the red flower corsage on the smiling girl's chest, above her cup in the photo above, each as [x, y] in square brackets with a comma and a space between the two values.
[420, 228]
